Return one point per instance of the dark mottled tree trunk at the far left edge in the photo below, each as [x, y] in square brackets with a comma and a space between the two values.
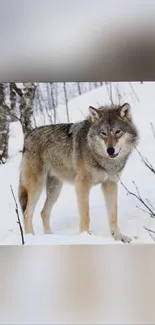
[4, 127]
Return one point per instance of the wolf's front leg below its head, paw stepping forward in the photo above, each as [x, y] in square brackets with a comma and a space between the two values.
[110, 193]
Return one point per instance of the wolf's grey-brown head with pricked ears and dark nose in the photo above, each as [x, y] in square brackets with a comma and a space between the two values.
[112, 133]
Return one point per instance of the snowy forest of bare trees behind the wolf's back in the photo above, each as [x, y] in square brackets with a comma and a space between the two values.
[23, 102]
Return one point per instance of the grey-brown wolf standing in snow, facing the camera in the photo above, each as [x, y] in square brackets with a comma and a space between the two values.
[90, 152]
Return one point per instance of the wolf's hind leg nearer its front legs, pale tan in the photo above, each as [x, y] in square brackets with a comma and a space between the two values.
[53, 189]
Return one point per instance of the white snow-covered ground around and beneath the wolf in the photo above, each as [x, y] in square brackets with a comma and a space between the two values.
[64, 218]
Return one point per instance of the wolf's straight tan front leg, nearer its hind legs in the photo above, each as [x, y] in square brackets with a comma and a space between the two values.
[82, 192]
